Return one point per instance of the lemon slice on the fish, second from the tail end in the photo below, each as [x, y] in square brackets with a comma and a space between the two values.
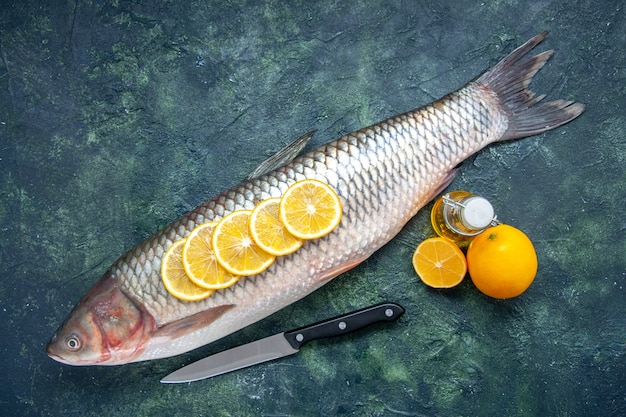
[268, 231]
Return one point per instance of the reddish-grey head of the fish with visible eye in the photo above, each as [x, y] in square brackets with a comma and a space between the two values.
[105, 328]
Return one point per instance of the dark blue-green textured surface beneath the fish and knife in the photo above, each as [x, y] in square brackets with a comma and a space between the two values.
[117, 117]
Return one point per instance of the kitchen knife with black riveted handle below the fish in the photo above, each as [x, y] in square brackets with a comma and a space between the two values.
[282, 344]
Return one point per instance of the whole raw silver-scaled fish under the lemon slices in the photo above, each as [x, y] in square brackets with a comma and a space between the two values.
[383, 174]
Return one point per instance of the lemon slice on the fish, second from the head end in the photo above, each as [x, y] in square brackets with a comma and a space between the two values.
[199, 260]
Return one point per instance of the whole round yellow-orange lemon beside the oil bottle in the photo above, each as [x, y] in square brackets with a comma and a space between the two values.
[502, 261]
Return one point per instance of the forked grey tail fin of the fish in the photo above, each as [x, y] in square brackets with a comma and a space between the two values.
[509, 80]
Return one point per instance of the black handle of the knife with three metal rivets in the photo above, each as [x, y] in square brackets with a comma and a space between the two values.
[344, 324]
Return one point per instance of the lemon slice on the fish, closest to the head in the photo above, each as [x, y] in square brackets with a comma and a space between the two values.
[174, 277]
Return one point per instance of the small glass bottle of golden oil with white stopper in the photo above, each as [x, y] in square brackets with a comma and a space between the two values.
[460, 216]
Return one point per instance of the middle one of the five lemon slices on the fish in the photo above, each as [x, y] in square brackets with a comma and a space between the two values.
[234, 247]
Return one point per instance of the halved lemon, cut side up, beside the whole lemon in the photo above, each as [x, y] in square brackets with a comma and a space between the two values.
[439, 263]
